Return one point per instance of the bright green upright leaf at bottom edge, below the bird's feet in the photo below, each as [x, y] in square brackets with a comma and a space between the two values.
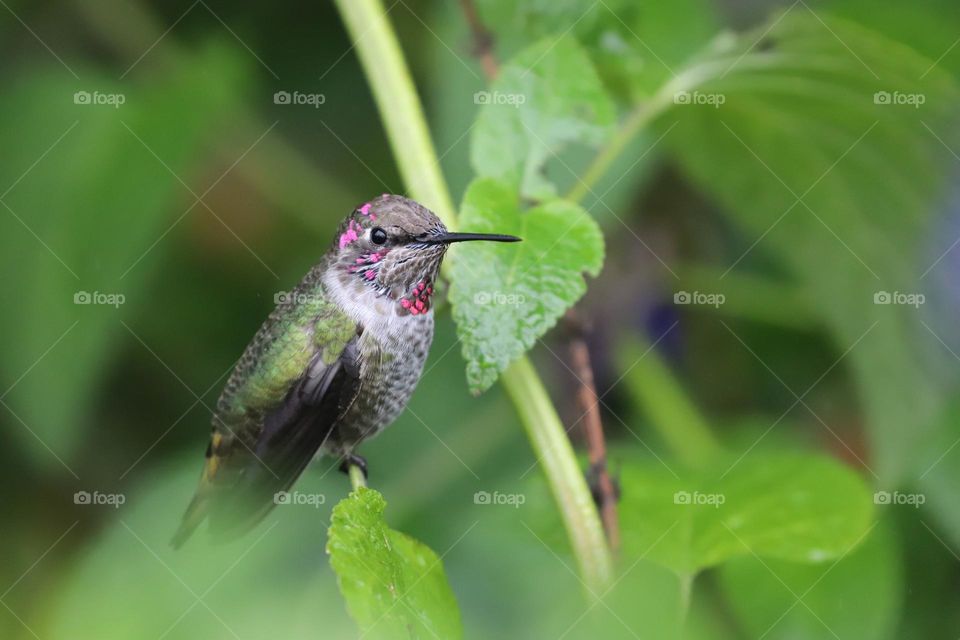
[394, 585]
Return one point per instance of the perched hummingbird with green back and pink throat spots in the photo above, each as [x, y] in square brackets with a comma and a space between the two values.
[334, 364]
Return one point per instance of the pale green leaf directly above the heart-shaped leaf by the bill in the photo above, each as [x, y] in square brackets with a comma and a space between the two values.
[545, 98]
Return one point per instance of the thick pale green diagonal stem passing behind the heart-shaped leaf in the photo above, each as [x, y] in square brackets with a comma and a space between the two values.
[403, 117]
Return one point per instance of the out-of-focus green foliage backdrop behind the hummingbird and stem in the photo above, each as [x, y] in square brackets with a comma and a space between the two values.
[156, 197]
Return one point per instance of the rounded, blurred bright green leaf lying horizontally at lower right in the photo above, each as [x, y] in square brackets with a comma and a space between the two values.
[801, 508]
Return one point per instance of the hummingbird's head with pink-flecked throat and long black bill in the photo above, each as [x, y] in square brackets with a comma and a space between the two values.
[393, 246]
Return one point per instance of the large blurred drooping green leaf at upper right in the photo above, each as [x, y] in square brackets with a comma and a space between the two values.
[799, 119]
